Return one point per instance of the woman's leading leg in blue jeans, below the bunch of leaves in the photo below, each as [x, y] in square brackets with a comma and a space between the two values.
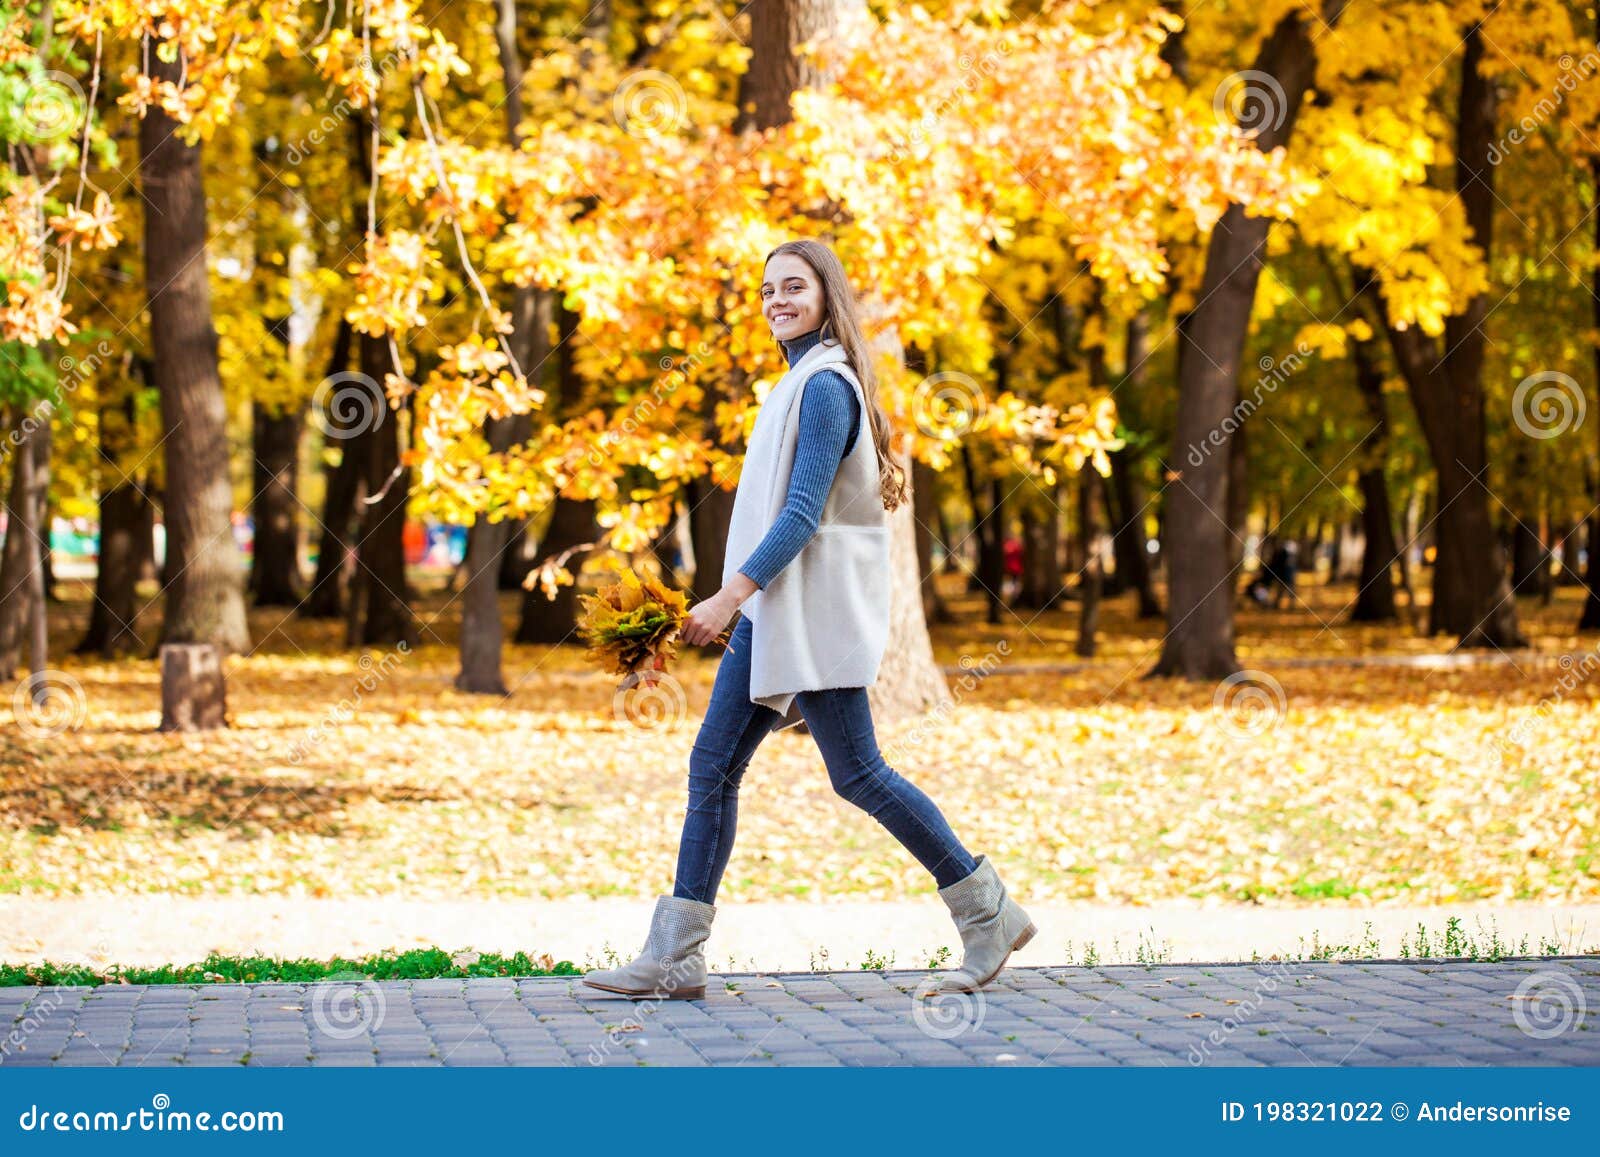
[727, 740]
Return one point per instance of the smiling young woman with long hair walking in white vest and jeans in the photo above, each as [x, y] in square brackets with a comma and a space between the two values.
[809, 570]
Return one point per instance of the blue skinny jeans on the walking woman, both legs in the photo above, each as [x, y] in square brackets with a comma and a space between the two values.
[841, 723]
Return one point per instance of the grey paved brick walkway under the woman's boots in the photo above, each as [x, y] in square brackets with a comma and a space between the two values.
[1516, 1012]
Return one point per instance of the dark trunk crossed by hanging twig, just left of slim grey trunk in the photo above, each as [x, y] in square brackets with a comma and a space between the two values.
[380, 556]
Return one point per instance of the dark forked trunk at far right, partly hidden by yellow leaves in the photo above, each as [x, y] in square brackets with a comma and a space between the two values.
[1473, 596]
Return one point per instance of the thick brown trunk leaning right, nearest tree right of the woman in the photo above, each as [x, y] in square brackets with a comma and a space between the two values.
[1198, 548]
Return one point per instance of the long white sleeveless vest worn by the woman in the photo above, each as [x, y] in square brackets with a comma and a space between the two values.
[825, 620]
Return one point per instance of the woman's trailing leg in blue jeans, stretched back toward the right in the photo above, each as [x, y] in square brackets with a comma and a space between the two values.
[841, 723]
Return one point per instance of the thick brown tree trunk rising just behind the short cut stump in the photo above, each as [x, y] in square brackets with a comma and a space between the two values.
[206, 598]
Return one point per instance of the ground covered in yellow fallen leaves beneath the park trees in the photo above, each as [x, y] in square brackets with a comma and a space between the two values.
[359, 777]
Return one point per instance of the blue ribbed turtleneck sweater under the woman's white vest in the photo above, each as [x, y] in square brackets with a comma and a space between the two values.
[830, 420]
